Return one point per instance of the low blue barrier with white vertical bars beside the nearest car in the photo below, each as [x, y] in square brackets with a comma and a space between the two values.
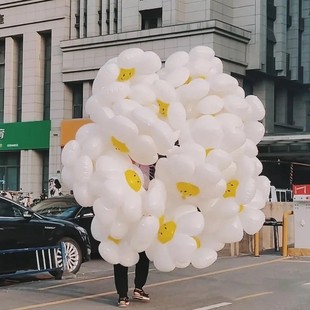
[41, 259]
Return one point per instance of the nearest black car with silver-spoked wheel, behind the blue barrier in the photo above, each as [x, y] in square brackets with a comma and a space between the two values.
[21, 227]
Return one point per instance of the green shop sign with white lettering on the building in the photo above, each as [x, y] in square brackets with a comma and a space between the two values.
[25, 135]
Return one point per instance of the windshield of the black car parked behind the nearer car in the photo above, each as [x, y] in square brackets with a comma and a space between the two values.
[62, 209]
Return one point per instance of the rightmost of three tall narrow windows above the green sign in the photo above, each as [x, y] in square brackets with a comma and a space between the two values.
[47, 76]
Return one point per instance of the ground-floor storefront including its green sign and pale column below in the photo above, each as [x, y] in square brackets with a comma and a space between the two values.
[24, 154]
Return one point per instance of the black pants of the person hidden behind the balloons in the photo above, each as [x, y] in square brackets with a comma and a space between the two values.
[121, 275]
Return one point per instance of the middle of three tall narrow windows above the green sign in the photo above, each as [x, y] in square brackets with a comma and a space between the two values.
[19, 86]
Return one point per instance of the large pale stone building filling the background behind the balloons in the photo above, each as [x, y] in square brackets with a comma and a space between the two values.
[51, 51]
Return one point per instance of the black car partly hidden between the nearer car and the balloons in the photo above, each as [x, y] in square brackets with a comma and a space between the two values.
[67, 208]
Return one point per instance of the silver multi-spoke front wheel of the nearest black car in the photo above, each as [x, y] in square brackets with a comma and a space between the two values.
[73, 255]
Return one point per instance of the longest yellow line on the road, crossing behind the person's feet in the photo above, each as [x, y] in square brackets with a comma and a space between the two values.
[64, 301]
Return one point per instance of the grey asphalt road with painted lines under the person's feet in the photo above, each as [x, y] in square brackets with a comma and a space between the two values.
[231, 283]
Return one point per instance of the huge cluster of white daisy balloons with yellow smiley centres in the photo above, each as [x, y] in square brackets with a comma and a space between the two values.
[196, 124]
